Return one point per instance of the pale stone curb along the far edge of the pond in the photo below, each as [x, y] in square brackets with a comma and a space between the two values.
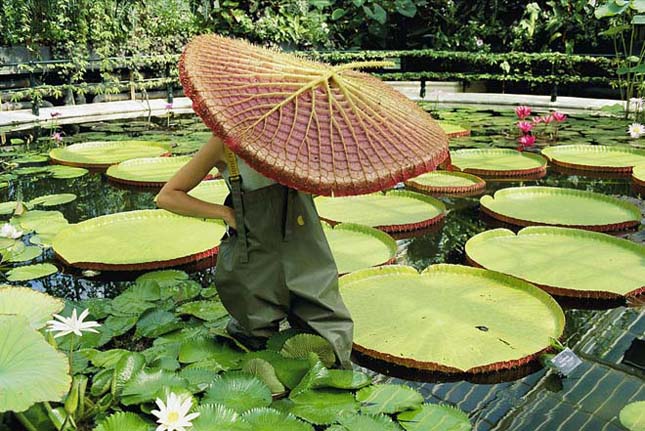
[24, 119]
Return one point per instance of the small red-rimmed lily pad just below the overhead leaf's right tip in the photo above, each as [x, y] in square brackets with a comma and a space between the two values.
[446, 182]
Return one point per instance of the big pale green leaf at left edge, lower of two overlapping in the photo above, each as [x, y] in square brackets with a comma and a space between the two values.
[31, 370]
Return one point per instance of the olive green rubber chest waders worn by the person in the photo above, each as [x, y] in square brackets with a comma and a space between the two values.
[279, 265]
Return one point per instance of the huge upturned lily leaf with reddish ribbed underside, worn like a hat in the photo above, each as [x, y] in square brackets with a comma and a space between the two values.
[314, 127]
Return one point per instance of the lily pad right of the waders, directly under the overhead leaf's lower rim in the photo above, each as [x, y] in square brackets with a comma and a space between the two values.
[395, 211]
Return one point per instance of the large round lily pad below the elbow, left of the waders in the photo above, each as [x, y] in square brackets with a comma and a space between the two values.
[144, 239]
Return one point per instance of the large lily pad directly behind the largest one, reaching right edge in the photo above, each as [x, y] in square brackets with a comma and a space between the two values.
[568, 262]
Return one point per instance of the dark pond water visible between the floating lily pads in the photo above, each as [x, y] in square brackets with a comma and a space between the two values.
[589, 399]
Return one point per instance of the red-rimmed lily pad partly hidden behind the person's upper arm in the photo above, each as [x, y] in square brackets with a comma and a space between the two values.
[149, 171]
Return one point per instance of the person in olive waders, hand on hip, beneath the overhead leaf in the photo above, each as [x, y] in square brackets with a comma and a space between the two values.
[274, 262]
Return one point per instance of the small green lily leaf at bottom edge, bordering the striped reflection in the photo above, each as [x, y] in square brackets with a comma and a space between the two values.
[434, 417]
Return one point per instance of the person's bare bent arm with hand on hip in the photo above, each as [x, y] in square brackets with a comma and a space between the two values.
[174, 195]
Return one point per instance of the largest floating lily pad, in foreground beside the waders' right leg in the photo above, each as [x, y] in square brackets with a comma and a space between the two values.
[400, 316]
